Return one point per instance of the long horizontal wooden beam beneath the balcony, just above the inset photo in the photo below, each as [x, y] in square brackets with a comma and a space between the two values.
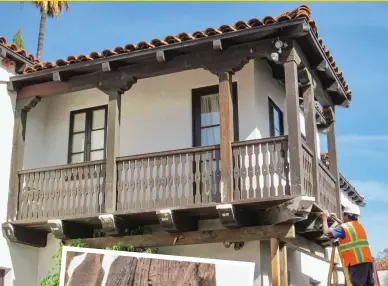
[198, 237]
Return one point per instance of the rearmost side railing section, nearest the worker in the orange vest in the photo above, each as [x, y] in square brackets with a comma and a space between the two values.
[327, 188]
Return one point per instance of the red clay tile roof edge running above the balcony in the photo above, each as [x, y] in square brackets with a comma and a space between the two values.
[303, 11]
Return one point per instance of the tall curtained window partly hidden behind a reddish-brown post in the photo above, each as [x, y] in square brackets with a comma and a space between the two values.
[206, 116]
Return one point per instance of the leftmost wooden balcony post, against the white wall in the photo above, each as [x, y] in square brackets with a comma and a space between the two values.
[19, 132]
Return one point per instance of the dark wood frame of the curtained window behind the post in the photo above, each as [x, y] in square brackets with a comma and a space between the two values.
[196, 107]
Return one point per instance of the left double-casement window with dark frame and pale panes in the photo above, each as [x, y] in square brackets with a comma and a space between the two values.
[87, 140]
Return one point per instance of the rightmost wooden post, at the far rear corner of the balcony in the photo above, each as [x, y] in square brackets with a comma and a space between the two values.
[333, 163]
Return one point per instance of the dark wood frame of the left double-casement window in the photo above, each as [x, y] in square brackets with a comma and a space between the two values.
[88, 131]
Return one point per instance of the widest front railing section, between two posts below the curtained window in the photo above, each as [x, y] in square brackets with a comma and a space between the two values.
[167, 179]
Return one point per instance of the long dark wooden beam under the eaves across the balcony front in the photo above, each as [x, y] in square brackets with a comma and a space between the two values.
[234, 57]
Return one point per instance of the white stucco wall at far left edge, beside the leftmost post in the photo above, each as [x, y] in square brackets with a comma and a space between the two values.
[19, 261]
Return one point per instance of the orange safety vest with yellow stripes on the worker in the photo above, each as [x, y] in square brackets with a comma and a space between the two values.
[354, 248]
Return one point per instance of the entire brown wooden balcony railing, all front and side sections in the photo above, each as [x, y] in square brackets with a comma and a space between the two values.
[176, 178]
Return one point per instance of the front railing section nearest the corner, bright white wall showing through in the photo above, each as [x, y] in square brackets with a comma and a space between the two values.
[261, 168]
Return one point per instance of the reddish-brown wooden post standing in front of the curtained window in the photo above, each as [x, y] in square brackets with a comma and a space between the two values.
[226, 134]
